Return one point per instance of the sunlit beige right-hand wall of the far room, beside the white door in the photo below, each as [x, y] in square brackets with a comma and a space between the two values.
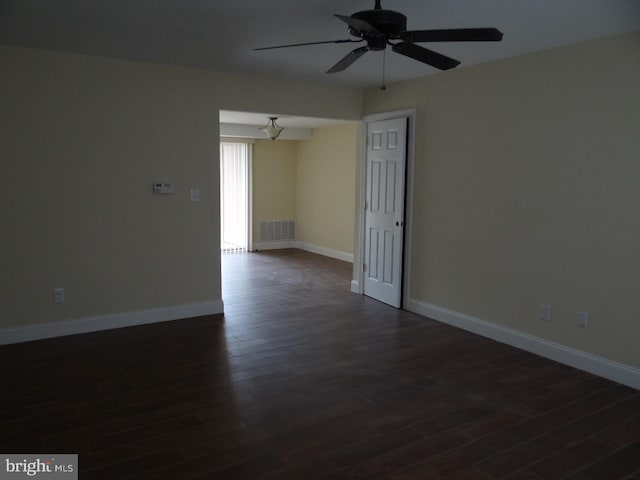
[326, 179]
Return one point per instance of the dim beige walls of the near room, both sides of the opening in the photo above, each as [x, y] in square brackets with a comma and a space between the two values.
[525, 185]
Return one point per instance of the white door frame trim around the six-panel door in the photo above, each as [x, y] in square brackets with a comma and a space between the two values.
[357, 285]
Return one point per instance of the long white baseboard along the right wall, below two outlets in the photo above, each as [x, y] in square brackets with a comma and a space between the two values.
[618, 372]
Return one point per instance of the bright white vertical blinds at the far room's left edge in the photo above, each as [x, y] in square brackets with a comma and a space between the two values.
[235, 195]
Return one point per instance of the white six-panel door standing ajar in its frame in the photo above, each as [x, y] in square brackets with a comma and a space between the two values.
[384, 210]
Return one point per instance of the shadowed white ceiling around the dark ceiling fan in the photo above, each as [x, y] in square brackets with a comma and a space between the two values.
[221, 34]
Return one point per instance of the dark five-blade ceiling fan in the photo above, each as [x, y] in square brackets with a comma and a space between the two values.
[380, 27]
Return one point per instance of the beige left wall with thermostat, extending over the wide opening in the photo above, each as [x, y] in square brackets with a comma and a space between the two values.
[82, 140]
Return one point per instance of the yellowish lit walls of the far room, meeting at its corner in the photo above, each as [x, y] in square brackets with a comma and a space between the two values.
[313, 182]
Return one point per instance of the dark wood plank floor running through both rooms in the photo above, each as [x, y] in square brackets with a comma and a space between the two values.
[303, 380]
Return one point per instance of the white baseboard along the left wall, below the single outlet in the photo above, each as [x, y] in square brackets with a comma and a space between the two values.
[107, 322]
